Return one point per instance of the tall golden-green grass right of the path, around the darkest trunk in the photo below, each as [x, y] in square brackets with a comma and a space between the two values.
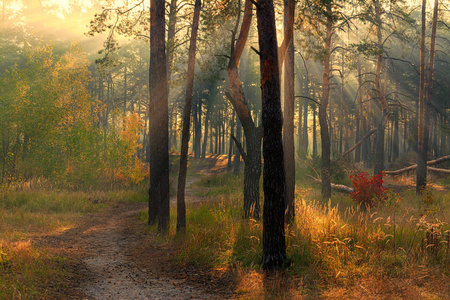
[333, 242]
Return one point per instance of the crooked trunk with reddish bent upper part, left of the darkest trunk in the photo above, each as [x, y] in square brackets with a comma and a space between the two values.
[252, 168]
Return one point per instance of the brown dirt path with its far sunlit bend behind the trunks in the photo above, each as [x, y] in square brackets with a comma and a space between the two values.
[113, 256]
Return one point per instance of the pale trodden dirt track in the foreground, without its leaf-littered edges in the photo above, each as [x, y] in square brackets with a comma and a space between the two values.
[113, 272]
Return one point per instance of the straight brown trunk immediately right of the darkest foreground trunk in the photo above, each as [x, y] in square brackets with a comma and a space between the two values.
[289, 109]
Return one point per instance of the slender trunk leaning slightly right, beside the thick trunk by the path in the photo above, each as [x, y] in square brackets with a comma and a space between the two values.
[181, 205]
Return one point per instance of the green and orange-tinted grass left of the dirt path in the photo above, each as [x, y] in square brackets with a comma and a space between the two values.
[31, 271]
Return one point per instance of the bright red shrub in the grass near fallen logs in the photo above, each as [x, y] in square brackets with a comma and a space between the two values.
[368, 191]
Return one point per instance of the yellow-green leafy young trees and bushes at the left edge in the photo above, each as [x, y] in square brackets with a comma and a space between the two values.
[48, 126]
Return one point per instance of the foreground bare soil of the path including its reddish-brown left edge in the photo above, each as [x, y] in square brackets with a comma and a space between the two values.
[102, 252]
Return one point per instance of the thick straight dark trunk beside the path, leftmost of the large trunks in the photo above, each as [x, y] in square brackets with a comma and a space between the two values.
[159, 120]
